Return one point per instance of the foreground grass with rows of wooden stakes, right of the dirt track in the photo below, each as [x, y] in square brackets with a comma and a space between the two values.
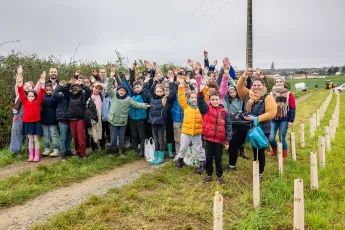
[177, 199]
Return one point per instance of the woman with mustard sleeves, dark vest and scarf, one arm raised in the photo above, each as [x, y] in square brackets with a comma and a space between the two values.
[257, 103]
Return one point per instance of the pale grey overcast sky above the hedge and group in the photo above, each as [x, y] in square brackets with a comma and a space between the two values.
[292, 33]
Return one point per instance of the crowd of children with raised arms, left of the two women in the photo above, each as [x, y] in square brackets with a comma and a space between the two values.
[186, 107]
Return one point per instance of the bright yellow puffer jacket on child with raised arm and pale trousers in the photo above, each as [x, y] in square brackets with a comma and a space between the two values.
[192, 119]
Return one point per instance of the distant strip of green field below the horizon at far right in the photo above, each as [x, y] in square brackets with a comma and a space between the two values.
[311, 82]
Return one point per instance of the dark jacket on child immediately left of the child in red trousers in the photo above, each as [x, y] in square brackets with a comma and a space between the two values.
[61, 96]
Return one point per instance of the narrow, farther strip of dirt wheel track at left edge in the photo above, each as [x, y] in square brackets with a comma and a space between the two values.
[16, 168]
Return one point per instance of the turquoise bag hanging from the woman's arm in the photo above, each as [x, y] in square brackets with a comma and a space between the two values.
[256, 136]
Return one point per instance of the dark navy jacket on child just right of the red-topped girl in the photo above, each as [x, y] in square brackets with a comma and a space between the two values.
[48, 111]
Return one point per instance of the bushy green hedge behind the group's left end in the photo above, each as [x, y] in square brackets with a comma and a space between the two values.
[33, 67]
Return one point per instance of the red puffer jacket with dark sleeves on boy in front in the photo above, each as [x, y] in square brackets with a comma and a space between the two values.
[216, 123]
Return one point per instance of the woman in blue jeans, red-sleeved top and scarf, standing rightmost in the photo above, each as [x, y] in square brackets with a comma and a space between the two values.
[286, 110]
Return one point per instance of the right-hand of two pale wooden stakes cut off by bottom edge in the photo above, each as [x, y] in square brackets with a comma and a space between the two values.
[298, 215]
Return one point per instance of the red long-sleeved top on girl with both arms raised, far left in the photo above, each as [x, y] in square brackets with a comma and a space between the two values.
[32, 110]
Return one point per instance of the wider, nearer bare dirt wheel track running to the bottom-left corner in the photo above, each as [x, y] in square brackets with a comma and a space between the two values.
[59, 200]
